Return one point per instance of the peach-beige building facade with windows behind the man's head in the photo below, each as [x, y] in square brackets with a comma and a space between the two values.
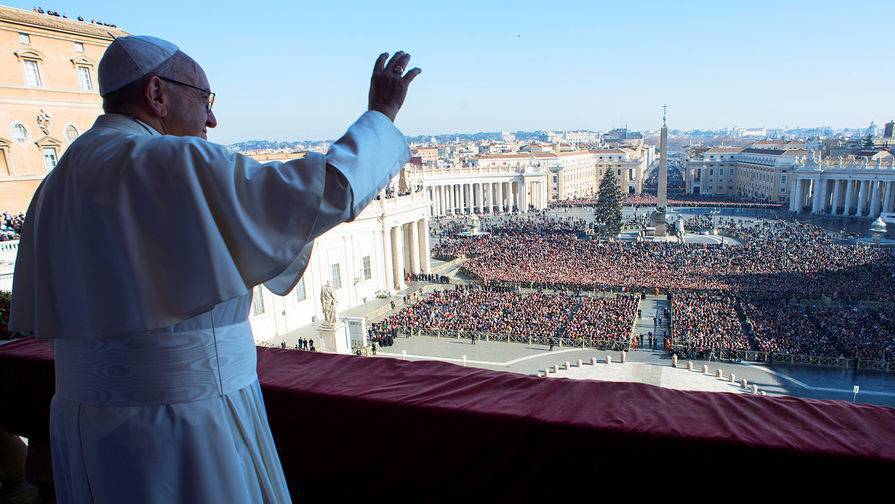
[49, 95]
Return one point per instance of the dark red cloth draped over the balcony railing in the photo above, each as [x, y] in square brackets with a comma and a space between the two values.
[379, 428]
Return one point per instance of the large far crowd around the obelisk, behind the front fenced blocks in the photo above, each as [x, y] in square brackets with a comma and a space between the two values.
[790, 259]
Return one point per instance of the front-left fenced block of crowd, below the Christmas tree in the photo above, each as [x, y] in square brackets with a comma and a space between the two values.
[492, 310]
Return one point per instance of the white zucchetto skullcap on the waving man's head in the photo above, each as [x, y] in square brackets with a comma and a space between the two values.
[130, 58]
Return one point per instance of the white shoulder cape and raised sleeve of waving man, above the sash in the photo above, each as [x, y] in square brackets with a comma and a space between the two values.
[136, 232]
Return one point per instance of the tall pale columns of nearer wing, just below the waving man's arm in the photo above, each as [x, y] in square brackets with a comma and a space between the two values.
[406, 251]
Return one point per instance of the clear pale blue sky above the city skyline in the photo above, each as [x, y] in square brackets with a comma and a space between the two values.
[300, 70]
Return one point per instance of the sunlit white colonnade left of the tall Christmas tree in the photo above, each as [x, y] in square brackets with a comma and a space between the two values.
[486, 197]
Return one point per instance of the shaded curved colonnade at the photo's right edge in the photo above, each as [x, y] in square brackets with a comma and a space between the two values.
[843, 197]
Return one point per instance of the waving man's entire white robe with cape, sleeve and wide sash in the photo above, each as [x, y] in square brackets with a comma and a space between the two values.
[138, 255]
